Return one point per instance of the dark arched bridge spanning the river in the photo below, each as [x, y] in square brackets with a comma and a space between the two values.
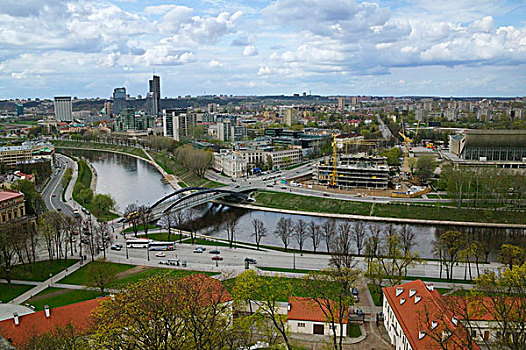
[190, 197]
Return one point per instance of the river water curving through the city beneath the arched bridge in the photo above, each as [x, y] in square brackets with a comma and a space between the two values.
[131, 180]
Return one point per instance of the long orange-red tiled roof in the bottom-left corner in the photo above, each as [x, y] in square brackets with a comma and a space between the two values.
[20, 329]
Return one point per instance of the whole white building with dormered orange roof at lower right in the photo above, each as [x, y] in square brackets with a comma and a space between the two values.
[415, 317]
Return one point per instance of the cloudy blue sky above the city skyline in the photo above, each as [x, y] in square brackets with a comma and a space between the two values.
[86, 48]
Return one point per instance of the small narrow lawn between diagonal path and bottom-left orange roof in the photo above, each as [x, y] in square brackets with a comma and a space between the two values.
[55, 297]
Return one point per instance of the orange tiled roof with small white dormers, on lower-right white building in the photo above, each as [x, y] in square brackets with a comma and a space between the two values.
[413, 317]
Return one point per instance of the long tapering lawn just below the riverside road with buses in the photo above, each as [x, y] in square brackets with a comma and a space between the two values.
[80, 277]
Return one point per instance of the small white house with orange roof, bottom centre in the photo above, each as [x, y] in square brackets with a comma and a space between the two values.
[306, 316]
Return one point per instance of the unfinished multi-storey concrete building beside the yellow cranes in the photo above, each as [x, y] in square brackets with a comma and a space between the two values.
[353, 171]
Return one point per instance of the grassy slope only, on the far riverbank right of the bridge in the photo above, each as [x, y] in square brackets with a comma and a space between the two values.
[335, 206]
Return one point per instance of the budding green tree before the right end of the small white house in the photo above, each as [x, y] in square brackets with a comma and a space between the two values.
[331, 289]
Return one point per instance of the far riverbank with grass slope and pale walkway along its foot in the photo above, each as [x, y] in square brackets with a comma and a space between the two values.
[395, 213]
